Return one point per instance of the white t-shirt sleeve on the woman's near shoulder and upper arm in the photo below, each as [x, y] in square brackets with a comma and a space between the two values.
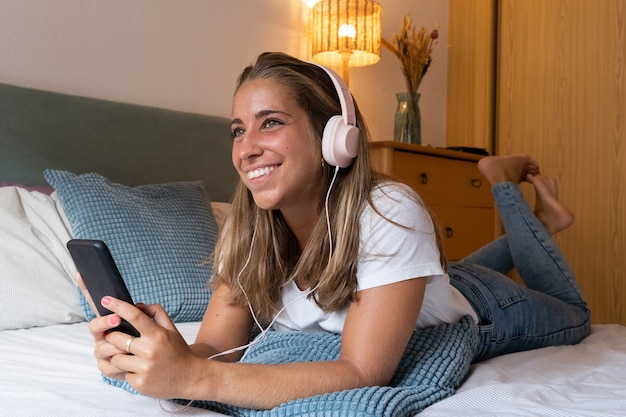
[398, 240]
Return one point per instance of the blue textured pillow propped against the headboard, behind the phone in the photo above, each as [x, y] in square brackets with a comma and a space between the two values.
[160, 236]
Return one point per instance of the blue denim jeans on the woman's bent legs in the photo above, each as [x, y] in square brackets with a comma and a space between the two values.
[549, 310]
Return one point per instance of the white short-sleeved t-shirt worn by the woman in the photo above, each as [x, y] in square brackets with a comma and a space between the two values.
[389, 253]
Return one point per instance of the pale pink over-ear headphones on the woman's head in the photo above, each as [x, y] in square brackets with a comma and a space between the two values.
[340, 141]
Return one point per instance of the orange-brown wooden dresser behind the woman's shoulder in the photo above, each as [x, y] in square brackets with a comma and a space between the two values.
[450, 184]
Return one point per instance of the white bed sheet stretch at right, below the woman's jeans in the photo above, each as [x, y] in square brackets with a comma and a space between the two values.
[586, 380]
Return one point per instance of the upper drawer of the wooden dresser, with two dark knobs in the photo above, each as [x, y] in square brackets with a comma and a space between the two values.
[443, 181]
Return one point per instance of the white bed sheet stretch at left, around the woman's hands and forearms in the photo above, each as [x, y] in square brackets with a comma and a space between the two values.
[51, 372]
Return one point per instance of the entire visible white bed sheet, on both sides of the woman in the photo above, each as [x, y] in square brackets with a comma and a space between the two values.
[50, 371]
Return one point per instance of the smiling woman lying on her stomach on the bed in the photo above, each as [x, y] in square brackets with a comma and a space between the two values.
[312, 246]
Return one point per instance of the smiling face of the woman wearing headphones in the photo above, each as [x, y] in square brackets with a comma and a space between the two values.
[274, 151]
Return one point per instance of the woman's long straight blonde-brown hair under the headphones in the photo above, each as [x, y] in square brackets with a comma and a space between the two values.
[262, 268]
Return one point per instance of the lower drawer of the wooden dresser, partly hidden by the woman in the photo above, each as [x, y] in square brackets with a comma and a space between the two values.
[464, 229]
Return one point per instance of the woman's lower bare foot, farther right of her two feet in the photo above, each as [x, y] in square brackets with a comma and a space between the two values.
[554, 215]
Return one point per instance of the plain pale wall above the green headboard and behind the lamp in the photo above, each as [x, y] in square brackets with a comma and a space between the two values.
[186, 54]
